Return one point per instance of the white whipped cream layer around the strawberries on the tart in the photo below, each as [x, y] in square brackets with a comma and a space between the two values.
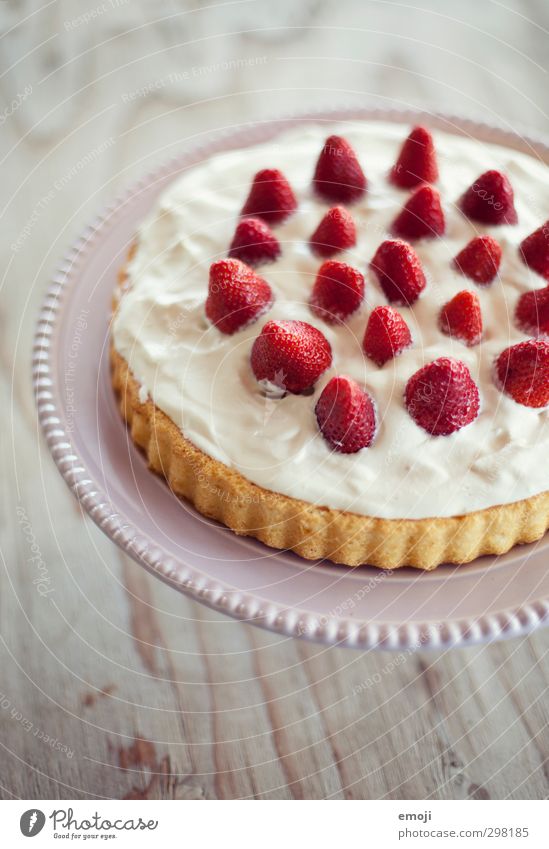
[202, 378]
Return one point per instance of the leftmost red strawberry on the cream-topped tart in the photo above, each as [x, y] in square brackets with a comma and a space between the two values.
[237, 296]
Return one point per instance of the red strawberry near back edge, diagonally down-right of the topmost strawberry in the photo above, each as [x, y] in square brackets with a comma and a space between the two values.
[490, 200]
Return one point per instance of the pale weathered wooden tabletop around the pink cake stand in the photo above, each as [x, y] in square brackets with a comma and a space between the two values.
[112, 684]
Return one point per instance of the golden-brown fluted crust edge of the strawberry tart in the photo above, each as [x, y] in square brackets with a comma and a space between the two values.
[223, 494]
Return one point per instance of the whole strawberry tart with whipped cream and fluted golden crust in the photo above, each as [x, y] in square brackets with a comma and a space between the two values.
[337, 342]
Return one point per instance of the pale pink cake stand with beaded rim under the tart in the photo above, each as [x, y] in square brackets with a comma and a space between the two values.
[361, 608]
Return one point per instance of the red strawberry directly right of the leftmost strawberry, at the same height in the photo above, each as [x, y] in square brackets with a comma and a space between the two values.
[338, 291]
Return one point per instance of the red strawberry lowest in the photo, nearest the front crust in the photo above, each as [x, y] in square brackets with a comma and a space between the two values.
[346, 415]
